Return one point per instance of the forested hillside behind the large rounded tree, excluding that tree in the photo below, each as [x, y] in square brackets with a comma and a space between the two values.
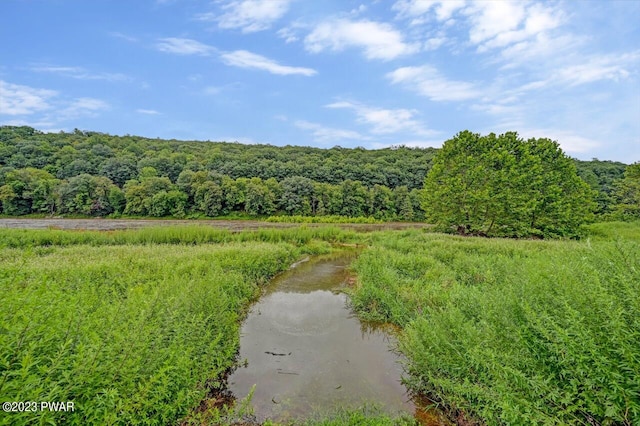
[92, 173]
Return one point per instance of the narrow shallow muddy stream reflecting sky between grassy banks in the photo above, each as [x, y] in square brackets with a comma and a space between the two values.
[305, 351]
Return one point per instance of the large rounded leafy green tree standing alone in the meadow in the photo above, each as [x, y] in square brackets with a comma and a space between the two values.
[505, 186]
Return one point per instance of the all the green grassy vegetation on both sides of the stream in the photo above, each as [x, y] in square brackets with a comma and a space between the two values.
[137, 326]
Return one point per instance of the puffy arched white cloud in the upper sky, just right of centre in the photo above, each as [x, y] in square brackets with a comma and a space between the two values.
[378, 40]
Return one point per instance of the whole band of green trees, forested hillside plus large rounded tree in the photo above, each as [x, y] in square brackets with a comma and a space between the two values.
[96, 174]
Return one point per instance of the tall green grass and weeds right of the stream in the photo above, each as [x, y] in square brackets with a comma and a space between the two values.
[514, 332]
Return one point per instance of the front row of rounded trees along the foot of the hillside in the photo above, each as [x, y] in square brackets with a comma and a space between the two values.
[201, 194]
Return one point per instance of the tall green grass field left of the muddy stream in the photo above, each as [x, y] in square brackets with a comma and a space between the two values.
[132, 334]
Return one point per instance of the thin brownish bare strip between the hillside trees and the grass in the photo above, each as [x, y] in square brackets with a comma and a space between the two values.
[233, 225]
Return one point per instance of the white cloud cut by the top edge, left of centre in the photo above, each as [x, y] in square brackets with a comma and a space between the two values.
[249, 15]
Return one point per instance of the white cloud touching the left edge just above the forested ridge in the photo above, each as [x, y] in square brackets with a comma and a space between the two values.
[16, 99]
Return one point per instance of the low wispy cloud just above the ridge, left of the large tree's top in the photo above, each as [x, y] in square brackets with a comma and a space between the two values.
[385, 121]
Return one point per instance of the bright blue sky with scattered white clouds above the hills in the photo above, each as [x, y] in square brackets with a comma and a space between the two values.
[325, 73]
